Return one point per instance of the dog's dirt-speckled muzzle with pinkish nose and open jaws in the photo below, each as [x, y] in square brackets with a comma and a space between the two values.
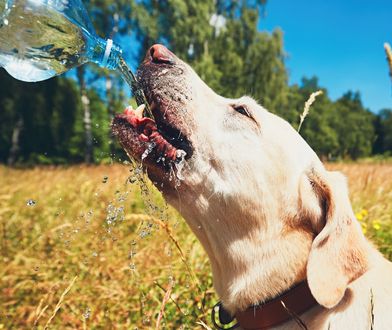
[161, 143]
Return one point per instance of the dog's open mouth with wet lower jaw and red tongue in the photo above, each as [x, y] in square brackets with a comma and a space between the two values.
[156, 142]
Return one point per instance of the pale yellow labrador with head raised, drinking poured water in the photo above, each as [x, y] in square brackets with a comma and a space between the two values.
[267, 212]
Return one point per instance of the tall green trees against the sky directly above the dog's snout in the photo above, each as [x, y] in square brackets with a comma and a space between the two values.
[220, 39]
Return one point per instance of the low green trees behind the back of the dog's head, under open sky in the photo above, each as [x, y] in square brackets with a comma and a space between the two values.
[341, 129]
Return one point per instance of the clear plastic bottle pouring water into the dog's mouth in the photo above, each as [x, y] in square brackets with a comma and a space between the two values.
[40, 39]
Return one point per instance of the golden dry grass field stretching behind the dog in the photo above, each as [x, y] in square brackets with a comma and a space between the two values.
[81, 249]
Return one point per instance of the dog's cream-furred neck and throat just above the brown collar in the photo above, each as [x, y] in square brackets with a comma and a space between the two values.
[251, 267]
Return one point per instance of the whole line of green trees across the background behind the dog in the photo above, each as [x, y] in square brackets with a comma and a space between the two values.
[66, 119]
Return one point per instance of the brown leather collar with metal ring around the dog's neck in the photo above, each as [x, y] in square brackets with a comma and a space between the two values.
[287, 306]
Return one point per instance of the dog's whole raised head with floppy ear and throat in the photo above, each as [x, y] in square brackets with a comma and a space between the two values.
[241, 176]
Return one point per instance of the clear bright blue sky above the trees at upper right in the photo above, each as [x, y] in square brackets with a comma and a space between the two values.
[341, 42]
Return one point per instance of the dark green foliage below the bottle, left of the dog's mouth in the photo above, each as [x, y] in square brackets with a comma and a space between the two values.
[51, 116]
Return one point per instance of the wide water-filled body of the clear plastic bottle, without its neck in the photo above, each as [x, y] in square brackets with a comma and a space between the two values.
[36, 41]
